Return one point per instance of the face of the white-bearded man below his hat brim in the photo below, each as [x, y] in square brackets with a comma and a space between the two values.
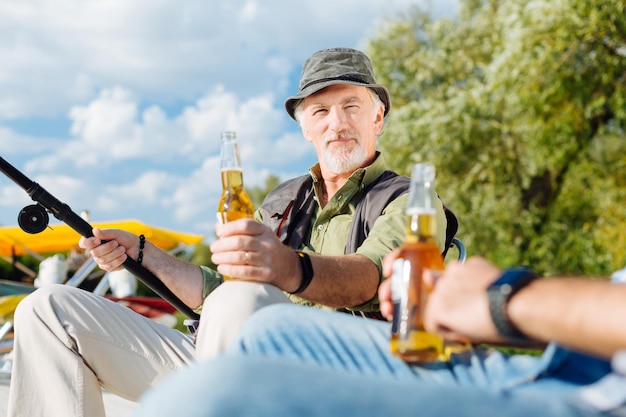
[341, 122]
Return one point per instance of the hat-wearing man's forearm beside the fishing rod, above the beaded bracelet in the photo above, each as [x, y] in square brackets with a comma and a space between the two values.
[182, 278]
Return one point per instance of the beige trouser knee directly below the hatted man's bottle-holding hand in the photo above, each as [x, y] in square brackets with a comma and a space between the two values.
[225, 311]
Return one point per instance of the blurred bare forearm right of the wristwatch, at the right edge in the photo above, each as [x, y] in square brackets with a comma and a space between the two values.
[583, 314]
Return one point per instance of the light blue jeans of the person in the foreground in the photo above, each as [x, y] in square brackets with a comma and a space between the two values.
[293, 360]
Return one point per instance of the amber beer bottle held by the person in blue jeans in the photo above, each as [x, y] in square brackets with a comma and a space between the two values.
[419, 251]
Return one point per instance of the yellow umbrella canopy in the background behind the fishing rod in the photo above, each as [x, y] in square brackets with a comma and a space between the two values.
[61, 238]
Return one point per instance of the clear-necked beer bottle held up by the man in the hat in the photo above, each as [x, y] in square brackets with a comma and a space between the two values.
[235, 203]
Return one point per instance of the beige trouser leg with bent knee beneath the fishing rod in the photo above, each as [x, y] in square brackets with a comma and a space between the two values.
[70, 343]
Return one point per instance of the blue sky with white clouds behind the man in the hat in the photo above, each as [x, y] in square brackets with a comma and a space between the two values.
[116, 106]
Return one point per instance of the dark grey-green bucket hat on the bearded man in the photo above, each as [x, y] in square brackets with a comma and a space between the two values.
[336, 66]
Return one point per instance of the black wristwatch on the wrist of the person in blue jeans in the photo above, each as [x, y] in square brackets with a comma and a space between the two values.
[499, 294]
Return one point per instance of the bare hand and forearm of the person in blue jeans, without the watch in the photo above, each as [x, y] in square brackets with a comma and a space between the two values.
[581, 313]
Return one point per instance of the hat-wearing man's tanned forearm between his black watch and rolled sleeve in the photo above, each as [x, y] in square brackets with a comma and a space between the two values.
[342, 281]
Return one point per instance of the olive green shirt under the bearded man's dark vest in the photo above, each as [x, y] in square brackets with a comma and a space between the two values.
[331, 224]
